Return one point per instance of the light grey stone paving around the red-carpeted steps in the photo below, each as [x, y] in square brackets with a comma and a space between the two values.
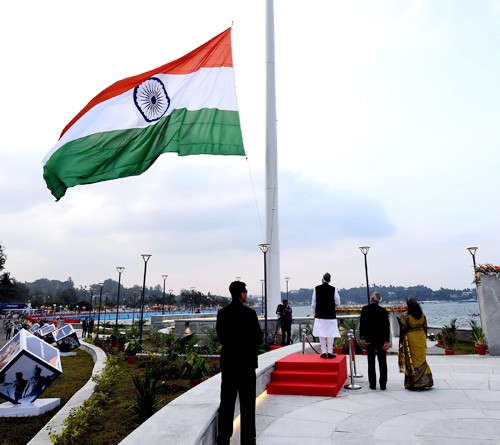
[463, 407]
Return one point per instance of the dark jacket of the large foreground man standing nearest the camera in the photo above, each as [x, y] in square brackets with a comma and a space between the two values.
[239, 332]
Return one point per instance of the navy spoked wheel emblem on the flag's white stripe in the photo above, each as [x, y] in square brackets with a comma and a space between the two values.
[151, 99]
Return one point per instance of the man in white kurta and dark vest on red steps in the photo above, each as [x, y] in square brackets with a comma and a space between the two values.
[325, 299]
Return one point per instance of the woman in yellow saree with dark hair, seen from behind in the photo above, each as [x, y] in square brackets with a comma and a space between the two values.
[413, 346]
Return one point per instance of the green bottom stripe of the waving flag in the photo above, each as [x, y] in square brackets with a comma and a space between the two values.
[122, 153]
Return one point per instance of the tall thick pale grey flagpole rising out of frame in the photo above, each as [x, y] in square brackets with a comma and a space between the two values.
[272, 219]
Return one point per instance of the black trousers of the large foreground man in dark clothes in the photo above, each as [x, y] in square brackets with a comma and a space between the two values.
[235, 383]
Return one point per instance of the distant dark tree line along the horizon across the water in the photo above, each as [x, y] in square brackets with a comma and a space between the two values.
[45, 292]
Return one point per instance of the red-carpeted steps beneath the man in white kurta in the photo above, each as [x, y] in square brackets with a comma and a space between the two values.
[308, 375]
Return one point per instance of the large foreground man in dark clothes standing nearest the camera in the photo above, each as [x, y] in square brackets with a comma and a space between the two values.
[239, 332]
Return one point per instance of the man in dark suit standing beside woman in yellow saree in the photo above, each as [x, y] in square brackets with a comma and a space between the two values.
[374, 330]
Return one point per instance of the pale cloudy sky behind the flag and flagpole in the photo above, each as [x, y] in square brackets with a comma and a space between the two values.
[388, 123]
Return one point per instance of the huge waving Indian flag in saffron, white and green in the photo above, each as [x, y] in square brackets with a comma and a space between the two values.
[187, 106]
